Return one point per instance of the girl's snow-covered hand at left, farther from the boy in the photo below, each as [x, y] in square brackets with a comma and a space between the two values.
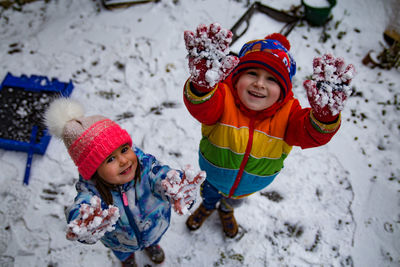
[92, 222]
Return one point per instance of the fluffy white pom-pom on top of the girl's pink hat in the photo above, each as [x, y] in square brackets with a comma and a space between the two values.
[60, 112]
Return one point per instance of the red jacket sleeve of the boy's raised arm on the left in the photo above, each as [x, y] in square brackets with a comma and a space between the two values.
[206, 108]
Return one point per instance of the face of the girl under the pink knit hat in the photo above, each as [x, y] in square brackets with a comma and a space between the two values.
[120, 166]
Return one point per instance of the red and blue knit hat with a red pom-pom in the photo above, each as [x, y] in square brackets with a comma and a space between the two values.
[272, 54]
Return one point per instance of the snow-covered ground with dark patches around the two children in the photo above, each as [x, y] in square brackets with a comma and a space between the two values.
[336, 205]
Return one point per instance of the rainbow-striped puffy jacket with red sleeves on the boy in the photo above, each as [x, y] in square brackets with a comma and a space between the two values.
[242, 150]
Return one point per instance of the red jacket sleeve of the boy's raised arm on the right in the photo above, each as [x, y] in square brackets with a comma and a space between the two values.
[306, 131]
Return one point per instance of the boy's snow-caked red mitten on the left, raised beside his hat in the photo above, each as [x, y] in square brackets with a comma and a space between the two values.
[208, 50]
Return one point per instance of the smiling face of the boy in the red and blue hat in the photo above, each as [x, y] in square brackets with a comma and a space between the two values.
[258, 89]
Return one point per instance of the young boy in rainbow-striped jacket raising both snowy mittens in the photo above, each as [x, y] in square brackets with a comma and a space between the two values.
[250, 120]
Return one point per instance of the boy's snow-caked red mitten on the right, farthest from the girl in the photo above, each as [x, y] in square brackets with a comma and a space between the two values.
[329, 87]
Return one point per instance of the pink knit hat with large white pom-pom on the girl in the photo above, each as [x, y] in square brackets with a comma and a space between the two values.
[89, 140]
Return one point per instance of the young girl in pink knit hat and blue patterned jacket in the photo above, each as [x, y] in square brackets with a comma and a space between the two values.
[124, 195]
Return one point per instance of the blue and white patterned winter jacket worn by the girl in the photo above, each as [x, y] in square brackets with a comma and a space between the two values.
[147, 216]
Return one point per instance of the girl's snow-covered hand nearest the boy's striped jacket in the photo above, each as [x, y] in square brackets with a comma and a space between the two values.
[183, 191]
